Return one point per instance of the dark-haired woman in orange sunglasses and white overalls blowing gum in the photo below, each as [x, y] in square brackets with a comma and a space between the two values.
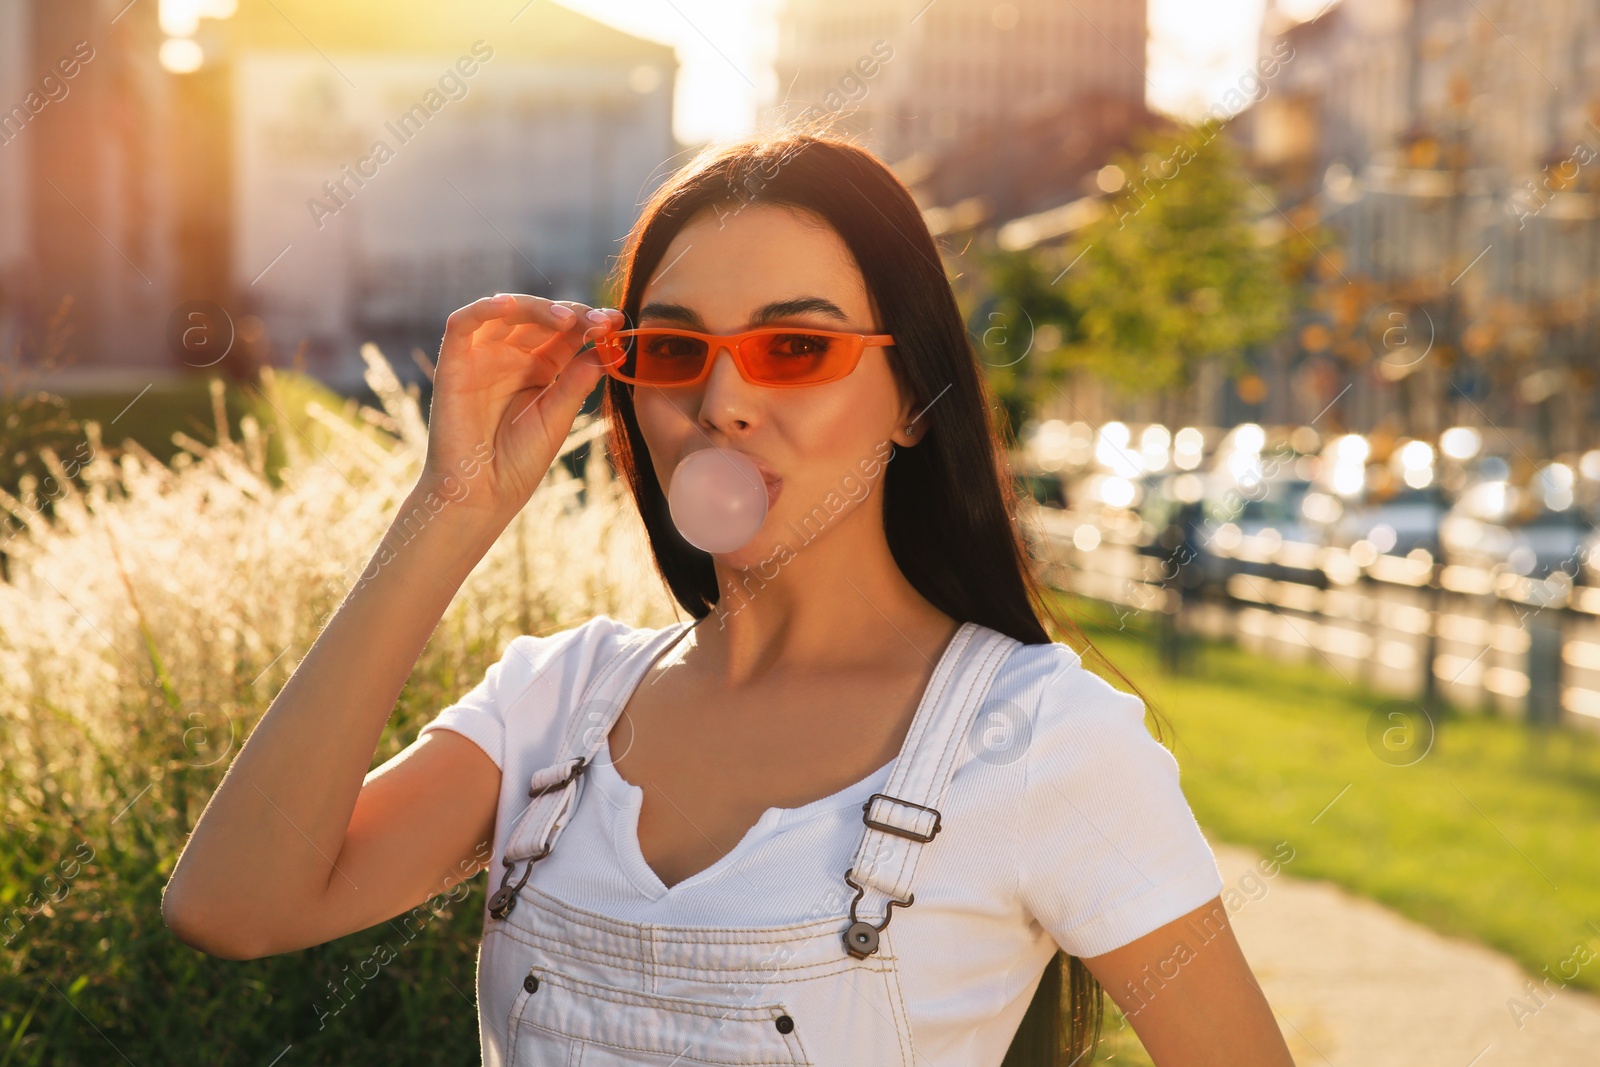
[858, 809]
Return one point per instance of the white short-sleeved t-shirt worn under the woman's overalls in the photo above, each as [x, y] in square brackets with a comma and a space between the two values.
[1073, 834]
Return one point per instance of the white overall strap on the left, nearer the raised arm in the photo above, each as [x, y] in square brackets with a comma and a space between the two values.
[554, 789]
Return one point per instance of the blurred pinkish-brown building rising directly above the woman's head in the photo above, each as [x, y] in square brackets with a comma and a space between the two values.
[999, 108]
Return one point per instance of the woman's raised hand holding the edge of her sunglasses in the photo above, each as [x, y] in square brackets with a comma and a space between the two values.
[506, 393]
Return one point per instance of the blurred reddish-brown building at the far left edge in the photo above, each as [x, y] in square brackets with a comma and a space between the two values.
[87, 196]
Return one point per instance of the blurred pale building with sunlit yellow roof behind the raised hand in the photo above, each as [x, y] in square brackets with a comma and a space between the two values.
[388, 177]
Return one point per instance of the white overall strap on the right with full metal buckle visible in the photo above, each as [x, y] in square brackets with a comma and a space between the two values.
[906, 815]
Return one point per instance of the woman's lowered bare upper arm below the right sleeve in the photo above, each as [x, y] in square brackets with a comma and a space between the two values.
[1191, 996]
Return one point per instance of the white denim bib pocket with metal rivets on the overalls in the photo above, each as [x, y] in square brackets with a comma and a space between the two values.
[562, 1021]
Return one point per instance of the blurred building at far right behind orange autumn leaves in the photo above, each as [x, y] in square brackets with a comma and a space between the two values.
[1454, 148]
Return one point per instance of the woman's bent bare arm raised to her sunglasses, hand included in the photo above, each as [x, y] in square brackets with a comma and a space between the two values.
[302, 845]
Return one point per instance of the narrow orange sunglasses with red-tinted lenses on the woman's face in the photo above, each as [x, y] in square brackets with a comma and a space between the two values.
[778, 358]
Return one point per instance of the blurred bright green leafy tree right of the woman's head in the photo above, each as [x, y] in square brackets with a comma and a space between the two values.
[1174, 273]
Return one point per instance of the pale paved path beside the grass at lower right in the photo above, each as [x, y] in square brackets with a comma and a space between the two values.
[1359, 986]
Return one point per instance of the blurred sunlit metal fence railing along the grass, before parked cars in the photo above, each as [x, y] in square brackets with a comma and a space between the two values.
[1410, 626]
